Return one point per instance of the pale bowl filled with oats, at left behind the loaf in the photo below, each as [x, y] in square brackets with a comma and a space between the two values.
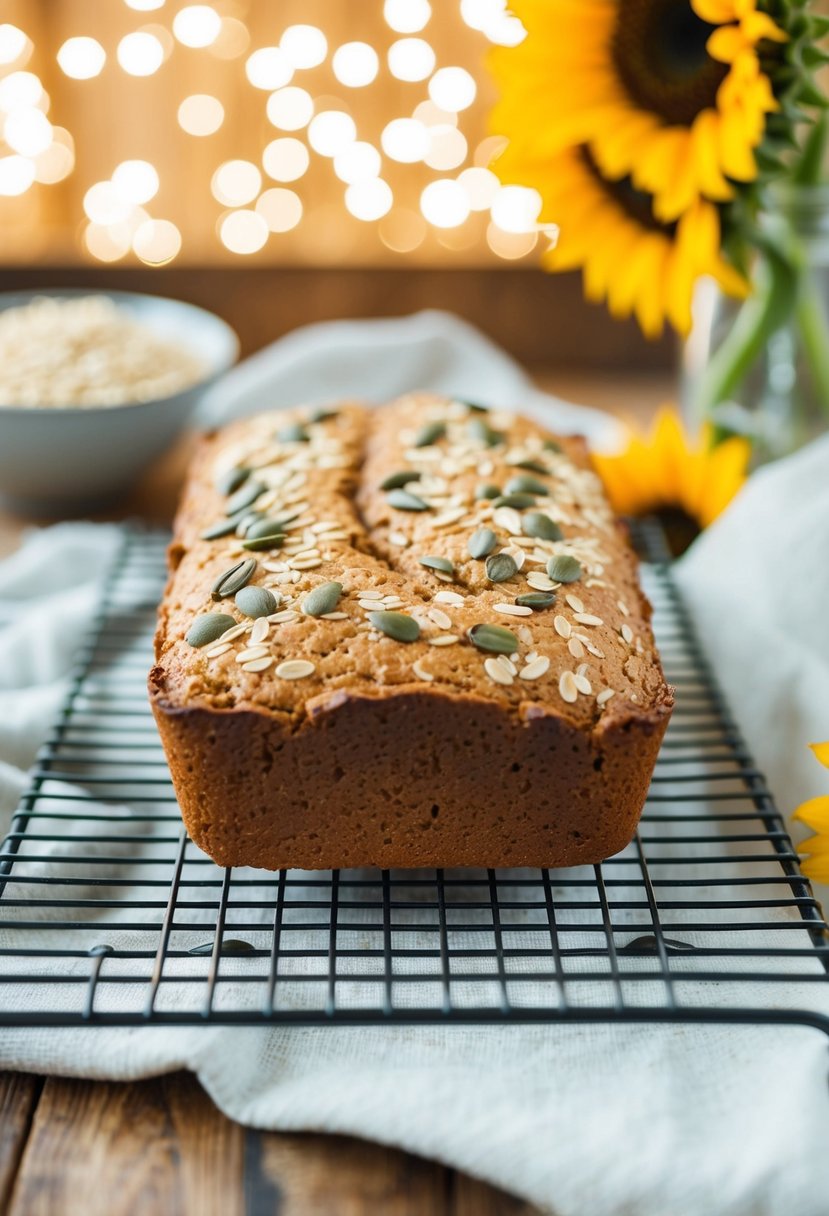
[94, 387]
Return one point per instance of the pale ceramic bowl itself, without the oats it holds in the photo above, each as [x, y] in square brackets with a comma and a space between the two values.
[59, 461]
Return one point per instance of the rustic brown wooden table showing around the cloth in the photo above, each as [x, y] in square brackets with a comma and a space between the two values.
[160, 1147]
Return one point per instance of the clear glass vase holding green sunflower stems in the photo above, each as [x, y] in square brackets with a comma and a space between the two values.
[760, 368]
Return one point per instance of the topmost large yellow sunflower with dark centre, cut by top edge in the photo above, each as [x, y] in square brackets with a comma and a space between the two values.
[669, 94]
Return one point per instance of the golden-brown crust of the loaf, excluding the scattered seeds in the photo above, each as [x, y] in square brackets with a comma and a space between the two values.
[365, 763]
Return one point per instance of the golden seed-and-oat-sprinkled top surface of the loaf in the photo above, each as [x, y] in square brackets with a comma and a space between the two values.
[589, 658]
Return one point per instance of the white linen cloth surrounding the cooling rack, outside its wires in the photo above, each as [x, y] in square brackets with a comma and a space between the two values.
[585, 1121]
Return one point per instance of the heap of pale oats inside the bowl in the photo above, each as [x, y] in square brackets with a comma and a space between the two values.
[87, 352]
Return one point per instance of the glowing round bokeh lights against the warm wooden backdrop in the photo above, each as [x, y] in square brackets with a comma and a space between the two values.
[314, 150]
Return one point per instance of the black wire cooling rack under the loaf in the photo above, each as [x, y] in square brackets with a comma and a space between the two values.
[111, 916]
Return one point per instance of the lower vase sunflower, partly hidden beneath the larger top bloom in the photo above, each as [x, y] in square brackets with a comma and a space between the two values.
[639, 264]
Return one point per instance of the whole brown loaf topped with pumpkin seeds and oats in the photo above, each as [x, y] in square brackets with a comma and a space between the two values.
[405, 637]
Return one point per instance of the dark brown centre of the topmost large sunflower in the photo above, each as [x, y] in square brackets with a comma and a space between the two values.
[659, 53]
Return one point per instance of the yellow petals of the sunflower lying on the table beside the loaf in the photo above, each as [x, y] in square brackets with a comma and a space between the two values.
[667, 474]
